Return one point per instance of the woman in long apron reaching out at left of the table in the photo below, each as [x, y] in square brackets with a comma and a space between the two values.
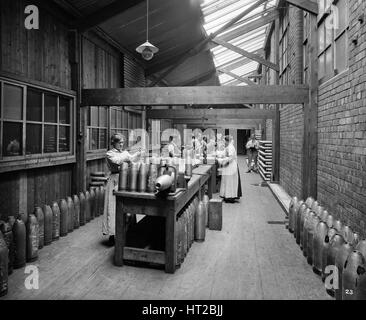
[115, 157]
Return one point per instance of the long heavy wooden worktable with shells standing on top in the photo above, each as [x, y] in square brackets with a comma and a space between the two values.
[149, 204]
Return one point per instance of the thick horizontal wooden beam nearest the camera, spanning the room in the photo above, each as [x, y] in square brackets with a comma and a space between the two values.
[195, 95]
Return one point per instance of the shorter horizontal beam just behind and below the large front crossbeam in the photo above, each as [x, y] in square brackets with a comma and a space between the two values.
[210, 114]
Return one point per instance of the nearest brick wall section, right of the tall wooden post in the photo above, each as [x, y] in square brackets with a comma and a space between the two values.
[342, 133]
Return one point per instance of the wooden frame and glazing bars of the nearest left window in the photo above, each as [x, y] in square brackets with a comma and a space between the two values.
[39, 158]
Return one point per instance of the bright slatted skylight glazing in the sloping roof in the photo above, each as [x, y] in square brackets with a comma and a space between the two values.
[219, 12]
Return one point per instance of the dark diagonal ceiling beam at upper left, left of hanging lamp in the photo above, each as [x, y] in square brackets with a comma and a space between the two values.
[105, 14]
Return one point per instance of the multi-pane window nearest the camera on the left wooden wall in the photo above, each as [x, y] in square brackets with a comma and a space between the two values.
[34, 121]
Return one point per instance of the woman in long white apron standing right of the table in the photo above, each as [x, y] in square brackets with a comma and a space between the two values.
[230, 188]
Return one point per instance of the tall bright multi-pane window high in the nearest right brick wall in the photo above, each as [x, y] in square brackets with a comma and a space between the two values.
[333, 38]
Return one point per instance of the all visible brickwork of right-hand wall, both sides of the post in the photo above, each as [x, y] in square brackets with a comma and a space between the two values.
[341, 169]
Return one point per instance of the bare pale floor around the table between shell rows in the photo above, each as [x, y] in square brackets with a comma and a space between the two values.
[253, 257]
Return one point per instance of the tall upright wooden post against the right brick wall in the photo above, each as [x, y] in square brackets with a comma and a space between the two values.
[310, 143]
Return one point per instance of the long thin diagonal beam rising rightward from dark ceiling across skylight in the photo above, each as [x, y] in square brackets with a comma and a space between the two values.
[198, 48]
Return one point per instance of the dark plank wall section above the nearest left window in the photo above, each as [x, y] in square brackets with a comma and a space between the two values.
[40, 55]
